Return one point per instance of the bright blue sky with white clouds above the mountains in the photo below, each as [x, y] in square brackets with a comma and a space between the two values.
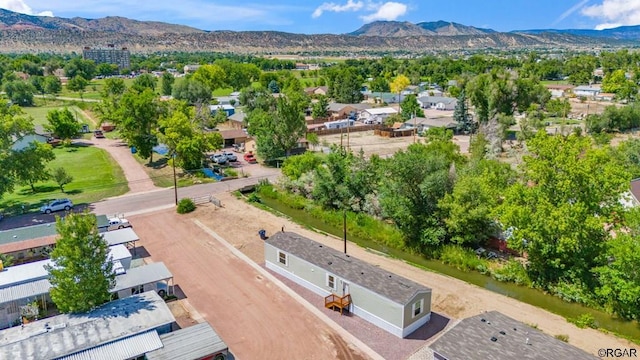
[342, 16]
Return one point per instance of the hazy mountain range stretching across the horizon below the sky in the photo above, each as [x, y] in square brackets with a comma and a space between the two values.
[27, 33]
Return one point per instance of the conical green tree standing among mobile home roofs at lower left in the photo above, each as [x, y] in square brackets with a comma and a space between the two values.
[81, 274]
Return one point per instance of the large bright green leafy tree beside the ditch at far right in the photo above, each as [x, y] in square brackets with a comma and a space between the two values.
[559, 211]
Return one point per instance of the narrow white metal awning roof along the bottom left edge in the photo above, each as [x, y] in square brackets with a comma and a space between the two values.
[127, 348]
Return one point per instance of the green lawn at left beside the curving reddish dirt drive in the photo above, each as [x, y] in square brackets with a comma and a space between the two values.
[95, 176]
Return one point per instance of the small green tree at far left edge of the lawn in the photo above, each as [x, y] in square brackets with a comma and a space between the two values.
[30, 164]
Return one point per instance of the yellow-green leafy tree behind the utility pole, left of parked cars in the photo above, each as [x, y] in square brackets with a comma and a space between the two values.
[184, 138]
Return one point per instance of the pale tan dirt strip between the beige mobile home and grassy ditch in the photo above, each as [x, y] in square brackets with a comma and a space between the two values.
[240, 222]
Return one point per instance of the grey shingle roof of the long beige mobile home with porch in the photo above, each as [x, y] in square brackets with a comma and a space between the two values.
[382, 282]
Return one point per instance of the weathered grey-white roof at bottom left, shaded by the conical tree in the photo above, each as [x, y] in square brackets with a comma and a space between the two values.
[68, 334]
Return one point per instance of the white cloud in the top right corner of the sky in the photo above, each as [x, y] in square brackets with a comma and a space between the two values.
[614, 13]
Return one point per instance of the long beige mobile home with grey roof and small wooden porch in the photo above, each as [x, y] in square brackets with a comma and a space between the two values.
[395, 304]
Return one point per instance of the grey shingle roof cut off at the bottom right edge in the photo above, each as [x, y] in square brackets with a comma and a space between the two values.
[471, 339]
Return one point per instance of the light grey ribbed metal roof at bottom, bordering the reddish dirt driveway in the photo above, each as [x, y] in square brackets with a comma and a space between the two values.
[194, 342]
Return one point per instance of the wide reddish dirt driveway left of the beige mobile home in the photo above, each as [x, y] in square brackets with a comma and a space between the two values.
[254, 317]
